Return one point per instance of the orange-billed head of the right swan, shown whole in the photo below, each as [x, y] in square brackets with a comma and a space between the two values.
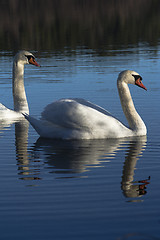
[131, 77]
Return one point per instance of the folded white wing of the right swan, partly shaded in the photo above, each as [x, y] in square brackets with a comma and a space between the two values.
[75, 114]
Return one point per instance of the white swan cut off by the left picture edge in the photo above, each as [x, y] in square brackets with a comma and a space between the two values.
[19, 95]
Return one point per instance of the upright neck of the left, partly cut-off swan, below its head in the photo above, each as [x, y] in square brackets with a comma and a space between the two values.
[19, 95]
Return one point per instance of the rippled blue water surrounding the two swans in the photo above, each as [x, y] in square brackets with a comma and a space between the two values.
[90, 189]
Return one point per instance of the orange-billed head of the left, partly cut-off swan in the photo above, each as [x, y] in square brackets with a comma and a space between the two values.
[25, 57]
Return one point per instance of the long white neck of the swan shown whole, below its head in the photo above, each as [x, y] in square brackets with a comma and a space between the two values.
[134, 120]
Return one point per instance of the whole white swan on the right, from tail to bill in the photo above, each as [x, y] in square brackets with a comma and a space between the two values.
[80, 119]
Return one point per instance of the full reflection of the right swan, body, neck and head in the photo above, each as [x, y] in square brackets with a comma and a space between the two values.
[73, 157]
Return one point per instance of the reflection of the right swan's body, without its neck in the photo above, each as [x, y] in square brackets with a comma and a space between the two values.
[75, 156]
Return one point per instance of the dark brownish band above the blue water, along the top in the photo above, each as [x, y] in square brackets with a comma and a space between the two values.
[97, 24]
